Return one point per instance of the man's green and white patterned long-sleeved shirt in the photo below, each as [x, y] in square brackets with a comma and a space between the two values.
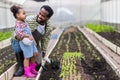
[46, 36]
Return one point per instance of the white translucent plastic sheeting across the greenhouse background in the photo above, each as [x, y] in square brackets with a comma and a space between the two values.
[69, 11]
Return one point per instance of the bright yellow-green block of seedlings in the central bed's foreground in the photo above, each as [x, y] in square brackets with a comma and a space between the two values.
[69, 63]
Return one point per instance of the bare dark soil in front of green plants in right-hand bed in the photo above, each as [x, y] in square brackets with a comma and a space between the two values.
[114, 37]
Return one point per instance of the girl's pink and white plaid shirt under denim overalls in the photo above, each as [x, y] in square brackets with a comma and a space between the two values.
[19, 27]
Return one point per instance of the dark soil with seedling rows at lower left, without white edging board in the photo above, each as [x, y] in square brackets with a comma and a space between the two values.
[7, 58]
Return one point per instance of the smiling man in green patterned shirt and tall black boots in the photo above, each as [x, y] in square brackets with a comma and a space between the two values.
[41, 32]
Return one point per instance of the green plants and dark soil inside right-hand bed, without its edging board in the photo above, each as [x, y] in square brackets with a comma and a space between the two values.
[108, 32]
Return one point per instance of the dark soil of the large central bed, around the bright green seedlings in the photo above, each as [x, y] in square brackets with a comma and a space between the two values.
[92, 67]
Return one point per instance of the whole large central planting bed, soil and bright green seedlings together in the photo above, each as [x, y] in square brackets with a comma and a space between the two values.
[74, 58]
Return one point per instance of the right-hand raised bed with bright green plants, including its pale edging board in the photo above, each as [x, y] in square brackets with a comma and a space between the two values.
[106, 34]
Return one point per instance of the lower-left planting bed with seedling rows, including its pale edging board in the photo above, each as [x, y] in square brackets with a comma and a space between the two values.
[7, 63]
